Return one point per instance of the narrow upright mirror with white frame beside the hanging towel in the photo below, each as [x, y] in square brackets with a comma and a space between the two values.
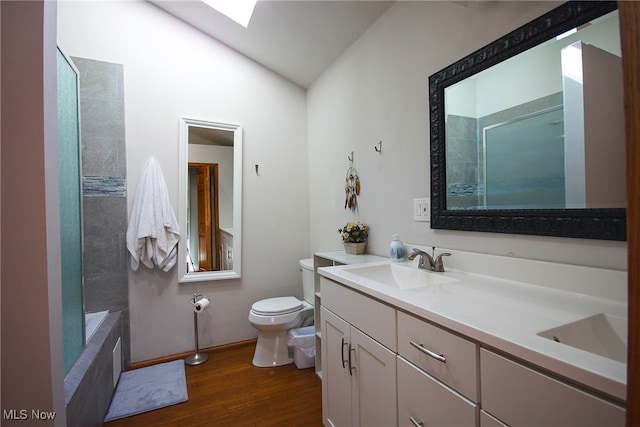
[210, 201]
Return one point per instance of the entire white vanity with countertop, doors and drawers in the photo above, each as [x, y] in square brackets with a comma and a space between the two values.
[467, 354]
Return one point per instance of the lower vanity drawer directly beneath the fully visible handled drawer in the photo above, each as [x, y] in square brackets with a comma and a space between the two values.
[427, 401]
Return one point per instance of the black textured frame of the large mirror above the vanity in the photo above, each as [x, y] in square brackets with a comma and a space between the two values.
[603, 224]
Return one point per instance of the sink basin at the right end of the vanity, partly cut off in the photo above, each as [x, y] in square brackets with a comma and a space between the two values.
[601, 334]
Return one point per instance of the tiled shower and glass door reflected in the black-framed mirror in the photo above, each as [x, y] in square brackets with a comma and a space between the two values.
[491, 165]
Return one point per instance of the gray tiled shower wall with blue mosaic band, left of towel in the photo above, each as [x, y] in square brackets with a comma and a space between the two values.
[104, 190]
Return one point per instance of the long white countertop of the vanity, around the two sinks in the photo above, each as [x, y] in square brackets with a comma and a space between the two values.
[506, 315]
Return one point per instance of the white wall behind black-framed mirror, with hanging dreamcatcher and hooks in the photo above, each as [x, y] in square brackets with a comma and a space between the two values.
[377, 91]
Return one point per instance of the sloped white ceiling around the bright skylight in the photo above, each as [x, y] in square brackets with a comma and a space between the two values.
[297, 39]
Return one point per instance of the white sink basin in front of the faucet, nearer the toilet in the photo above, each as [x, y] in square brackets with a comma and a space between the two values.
[400, 276]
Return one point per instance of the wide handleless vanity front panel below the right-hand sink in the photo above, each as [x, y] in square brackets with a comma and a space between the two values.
[518, 395]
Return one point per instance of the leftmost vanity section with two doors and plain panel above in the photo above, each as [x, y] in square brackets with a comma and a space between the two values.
[359, 359]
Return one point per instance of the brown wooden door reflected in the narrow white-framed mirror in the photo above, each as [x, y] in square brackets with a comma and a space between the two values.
[204, 212]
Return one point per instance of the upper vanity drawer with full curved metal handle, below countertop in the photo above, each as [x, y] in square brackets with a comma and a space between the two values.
[459, 370]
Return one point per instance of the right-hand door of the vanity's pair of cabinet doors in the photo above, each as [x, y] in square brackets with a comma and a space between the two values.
[373, 385]
